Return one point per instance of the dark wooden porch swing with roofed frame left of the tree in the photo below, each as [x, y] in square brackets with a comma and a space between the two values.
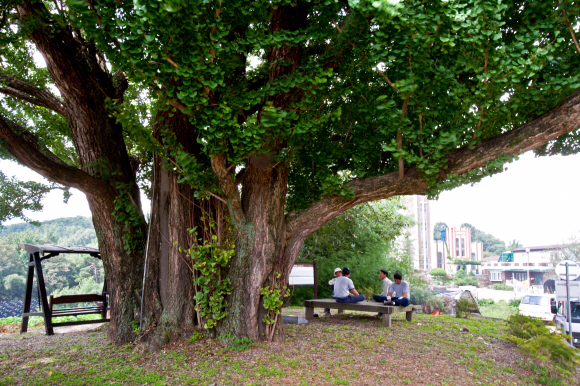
[35, 258]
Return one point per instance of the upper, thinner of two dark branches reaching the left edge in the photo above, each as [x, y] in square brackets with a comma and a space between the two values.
[32, 94]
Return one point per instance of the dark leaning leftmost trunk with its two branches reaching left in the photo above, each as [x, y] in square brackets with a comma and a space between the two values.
[105, 173]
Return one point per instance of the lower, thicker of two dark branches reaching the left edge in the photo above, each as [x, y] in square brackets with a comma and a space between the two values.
[24, 146]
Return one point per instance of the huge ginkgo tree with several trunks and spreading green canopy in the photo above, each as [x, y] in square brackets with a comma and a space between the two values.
[269, 118]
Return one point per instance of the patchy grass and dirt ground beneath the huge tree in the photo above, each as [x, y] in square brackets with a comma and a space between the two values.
[347, 349]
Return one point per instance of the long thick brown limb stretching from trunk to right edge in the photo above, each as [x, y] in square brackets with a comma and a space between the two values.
[562, 119]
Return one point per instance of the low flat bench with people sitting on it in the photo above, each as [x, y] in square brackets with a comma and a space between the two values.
[365, 305]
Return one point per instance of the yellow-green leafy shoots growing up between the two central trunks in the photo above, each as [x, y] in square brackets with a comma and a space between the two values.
[211, 256]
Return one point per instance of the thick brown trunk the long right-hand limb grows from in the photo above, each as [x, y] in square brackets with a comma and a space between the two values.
[258, 220]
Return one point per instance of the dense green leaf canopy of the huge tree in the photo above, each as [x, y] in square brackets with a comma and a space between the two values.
[445, 71]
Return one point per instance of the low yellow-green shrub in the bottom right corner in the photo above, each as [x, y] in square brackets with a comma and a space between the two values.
[546, 347]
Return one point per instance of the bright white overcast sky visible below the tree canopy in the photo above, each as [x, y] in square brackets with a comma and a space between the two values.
[535, 201]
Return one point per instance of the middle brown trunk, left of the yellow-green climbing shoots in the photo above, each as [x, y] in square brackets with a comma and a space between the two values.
[168, 285]
